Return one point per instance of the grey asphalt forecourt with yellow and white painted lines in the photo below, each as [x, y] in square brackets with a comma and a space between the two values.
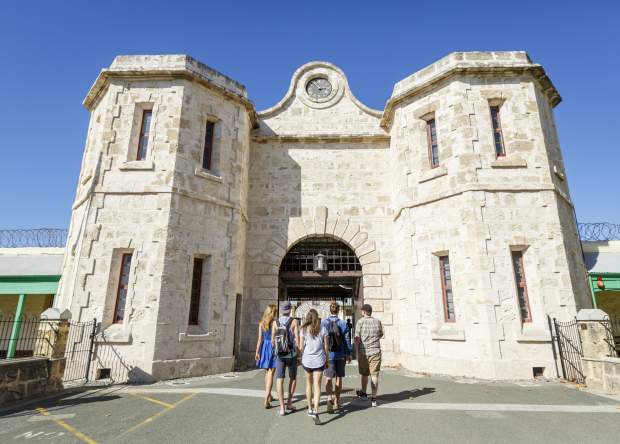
[412, 409]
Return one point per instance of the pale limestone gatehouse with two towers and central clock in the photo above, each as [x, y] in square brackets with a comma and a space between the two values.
[448, 211]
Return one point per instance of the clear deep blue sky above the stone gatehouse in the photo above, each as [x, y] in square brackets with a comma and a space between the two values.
[50, 55]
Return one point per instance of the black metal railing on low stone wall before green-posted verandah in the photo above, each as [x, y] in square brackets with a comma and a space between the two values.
[25, 338]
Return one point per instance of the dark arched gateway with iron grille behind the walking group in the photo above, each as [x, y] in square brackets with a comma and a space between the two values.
[306, 286]
